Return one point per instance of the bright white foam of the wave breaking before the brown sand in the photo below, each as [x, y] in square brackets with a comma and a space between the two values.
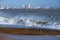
[27, 21]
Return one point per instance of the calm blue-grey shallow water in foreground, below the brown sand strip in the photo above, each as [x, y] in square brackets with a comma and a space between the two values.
[29, 37]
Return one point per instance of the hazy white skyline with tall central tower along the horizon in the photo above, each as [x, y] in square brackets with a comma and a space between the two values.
[28, 6]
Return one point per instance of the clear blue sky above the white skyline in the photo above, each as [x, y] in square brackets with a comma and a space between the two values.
[34, 3]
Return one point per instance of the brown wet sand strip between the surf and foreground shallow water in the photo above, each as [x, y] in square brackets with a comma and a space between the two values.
[29, 31]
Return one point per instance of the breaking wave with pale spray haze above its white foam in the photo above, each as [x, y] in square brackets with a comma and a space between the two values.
[27, 21]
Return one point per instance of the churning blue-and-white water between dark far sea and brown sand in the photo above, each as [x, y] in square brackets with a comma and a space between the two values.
[8, 19]
